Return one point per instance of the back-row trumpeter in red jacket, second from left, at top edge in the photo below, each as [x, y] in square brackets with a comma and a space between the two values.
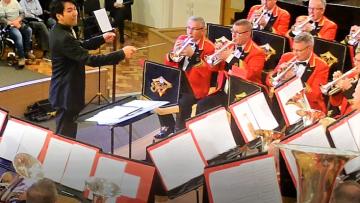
[315, 23]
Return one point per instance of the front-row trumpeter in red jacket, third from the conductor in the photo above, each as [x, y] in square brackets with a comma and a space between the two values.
[312, 70]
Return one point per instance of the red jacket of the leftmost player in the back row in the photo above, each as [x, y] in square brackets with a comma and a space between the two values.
[279, 20]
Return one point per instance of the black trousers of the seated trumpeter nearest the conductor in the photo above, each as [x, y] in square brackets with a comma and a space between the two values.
[186, 101]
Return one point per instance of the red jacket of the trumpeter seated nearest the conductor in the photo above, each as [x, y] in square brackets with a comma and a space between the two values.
[199, 74]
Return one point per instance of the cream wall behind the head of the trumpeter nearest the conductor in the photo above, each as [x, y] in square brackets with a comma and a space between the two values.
[174, 13]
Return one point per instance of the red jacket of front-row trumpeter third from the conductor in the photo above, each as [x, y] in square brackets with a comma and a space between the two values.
[319, 76]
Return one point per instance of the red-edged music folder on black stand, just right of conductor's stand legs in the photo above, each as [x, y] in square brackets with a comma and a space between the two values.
[179, 163]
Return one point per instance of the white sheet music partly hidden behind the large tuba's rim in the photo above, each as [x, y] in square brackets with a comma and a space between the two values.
[315, 137]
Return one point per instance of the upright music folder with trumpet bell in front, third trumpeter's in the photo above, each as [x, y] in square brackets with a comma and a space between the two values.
[286, 94]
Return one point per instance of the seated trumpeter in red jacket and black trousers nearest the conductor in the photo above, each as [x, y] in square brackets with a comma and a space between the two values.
[196, 82]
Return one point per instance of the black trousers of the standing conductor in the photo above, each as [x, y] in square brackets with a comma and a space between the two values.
[66, 123]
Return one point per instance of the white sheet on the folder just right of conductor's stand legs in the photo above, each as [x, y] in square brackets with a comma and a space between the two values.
[181, 157]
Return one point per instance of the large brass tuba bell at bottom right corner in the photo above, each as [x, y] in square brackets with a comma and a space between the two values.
[318, 168]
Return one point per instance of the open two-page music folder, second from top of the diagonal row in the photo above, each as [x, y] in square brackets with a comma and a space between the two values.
[253, 113]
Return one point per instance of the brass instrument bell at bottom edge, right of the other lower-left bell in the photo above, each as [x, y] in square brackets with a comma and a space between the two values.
[102, 189]
